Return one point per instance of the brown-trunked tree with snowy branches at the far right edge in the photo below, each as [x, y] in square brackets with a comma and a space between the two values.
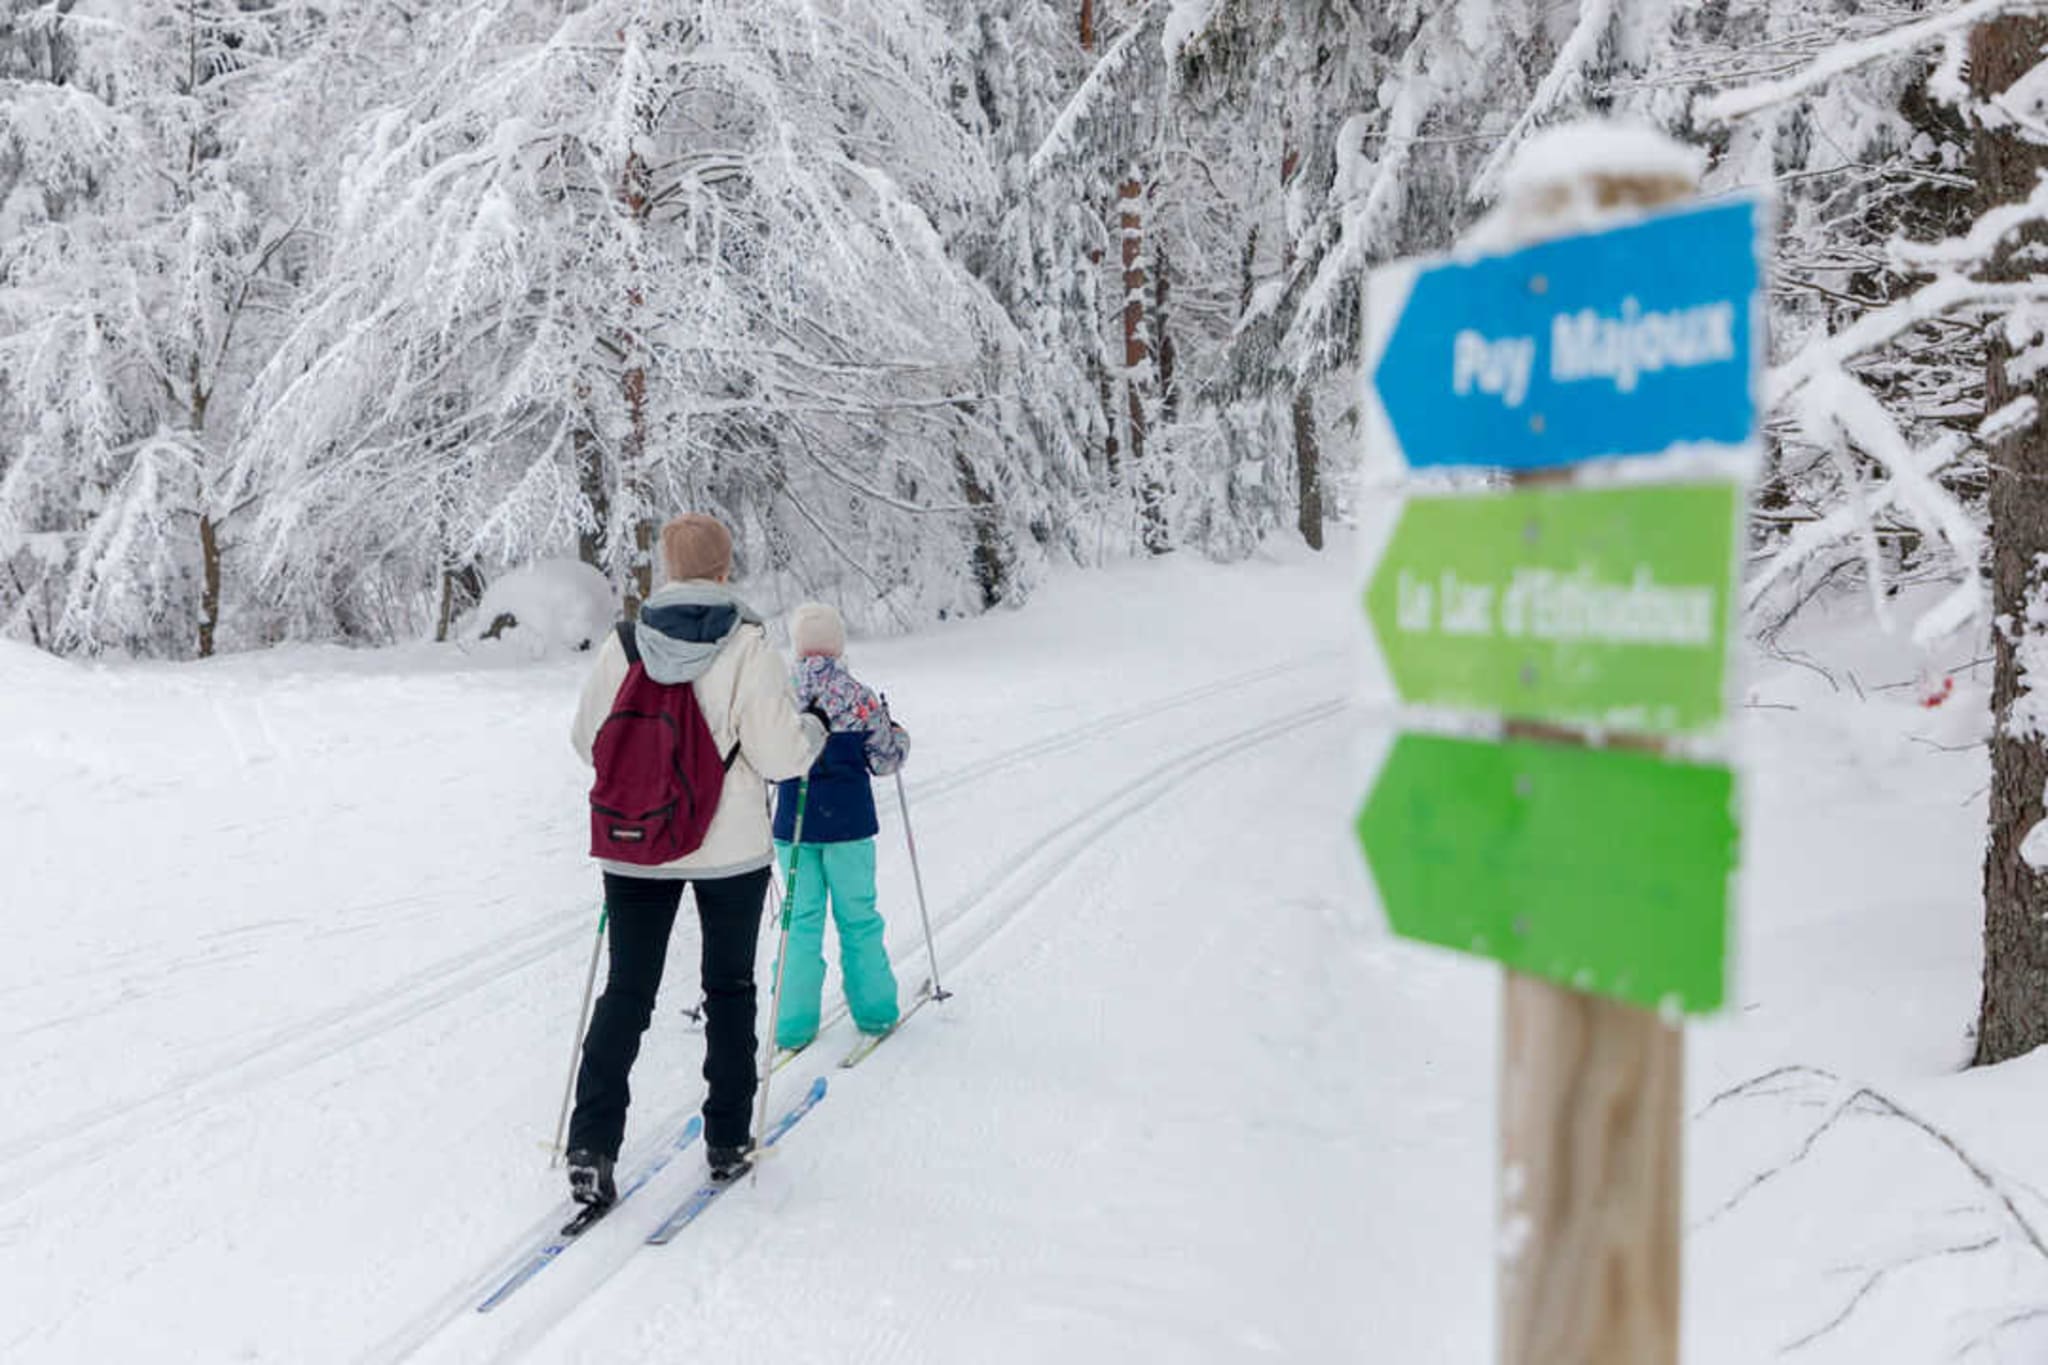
[1852, 390]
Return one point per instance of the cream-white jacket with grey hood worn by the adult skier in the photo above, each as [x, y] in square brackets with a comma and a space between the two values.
[703, 635]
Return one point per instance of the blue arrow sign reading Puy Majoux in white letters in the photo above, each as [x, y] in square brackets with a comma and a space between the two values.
[1619, 343]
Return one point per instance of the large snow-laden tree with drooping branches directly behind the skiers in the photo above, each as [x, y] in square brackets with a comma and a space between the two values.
[632, 259]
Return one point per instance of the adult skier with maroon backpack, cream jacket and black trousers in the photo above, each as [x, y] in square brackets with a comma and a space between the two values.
[646, 732]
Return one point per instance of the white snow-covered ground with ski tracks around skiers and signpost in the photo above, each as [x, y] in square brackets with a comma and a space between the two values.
[298, 938]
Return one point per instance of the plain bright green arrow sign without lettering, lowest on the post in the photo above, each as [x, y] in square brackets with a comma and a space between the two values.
[1598, 869]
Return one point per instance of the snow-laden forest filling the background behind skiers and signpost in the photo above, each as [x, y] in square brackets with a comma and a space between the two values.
[316, 318]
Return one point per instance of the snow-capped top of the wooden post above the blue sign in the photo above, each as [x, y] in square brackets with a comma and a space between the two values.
[1580, 173]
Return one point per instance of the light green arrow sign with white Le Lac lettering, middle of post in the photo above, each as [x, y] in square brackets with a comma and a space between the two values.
[1594, 607]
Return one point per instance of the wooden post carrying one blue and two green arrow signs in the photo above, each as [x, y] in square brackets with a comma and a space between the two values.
[1558, 652]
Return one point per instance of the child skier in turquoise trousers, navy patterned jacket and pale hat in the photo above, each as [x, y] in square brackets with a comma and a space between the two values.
[837, 858]
